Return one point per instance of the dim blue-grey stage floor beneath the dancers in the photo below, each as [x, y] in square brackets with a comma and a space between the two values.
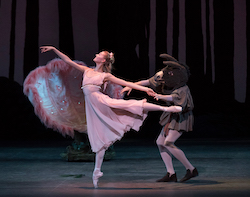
[35, 168]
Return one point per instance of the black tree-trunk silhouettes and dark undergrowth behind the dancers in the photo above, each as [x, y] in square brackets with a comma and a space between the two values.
[123, 26]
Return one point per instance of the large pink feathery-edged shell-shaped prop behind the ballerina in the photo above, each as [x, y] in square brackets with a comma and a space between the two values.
[55, 92]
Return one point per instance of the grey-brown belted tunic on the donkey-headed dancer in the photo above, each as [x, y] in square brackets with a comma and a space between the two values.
[184, 120]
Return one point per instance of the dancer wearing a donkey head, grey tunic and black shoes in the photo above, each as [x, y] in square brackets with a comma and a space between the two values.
[170, 82]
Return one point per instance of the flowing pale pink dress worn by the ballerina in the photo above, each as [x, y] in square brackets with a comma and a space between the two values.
[108, 118]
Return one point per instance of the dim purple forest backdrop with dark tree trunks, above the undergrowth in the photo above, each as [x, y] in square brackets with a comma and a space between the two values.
[210, 36]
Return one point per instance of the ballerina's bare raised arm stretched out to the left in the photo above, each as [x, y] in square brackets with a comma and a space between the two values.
[64, 57]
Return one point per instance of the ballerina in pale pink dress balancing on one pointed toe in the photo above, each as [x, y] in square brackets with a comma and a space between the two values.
[108, 118]
